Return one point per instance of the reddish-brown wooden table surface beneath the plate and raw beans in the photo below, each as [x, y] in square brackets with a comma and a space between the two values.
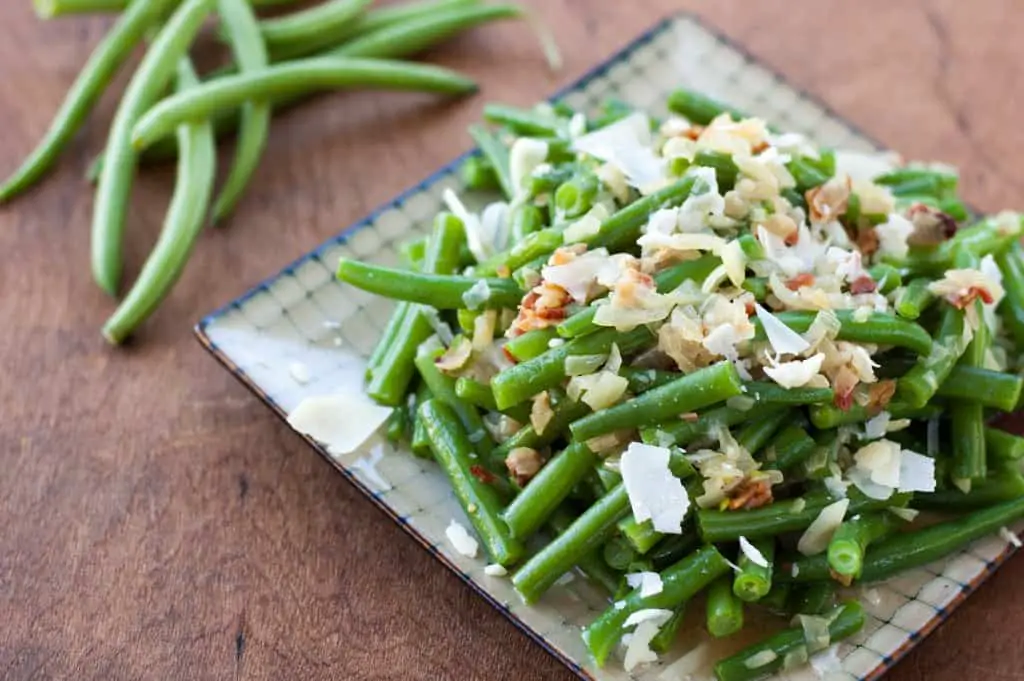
[159, 523]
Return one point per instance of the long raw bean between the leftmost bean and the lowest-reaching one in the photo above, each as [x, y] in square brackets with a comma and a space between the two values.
[146, 88]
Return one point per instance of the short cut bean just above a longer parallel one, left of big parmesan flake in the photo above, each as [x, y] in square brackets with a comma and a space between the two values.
[548, 490]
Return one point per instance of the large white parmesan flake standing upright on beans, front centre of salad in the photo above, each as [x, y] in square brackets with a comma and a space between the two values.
[655, 493]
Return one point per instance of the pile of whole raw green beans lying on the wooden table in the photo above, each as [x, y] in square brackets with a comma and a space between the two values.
[274, 63]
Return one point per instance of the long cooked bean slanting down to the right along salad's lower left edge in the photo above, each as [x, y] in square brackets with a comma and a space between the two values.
[454, 452]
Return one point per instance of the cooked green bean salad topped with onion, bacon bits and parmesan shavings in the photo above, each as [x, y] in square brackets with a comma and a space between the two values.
[701, 355]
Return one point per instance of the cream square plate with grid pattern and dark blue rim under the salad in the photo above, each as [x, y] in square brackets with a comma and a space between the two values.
[303, 315]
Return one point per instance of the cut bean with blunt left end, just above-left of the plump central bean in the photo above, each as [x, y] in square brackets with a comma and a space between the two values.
[527, 379]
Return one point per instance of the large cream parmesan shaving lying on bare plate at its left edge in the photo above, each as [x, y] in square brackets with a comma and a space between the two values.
[340, 422]
